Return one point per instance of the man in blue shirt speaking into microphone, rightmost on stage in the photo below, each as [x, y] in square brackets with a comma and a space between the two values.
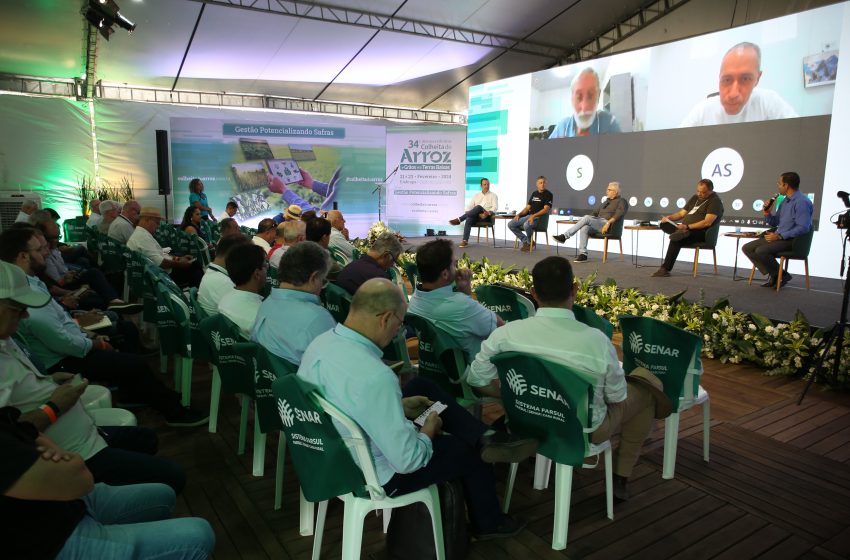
[793, 219]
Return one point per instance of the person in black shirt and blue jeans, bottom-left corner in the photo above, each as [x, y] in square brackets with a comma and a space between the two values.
[51, 507]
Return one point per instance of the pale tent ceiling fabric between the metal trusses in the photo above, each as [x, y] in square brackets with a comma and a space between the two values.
[254, 51]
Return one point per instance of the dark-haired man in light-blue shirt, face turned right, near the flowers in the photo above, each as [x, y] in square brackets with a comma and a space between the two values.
[445, 297]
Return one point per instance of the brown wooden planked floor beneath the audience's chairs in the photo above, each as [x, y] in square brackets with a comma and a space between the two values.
[777, 486]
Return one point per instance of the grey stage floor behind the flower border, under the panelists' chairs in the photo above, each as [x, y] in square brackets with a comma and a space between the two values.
[820, 304]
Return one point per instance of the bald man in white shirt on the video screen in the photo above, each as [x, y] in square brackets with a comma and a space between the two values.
[738, 99]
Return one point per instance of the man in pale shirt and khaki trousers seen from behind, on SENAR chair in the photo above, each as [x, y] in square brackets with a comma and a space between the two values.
[555, 334]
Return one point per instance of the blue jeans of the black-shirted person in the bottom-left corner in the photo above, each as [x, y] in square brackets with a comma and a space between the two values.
[133, 522]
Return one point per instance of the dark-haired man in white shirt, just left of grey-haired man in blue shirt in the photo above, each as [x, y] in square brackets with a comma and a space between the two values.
[247, 268]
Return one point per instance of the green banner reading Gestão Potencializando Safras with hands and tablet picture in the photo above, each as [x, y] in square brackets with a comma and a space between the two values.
[264, 166]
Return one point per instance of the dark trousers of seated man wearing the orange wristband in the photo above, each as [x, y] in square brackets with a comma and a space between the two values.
[131, 459]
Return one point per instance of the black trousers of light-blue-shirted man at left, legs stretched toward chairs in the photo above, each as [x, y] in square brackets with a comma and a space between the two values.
[129, 373]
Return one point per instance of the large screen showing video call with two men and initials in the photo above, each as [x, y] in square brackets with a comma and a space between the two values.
[738, 107]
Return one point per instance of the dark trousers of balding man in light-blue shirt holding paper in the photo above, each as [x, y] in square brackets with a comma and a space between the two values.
[455, 456]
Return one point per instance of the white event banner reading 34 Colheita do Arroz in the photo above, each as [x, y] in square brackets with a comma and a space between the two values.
[427, 187]
